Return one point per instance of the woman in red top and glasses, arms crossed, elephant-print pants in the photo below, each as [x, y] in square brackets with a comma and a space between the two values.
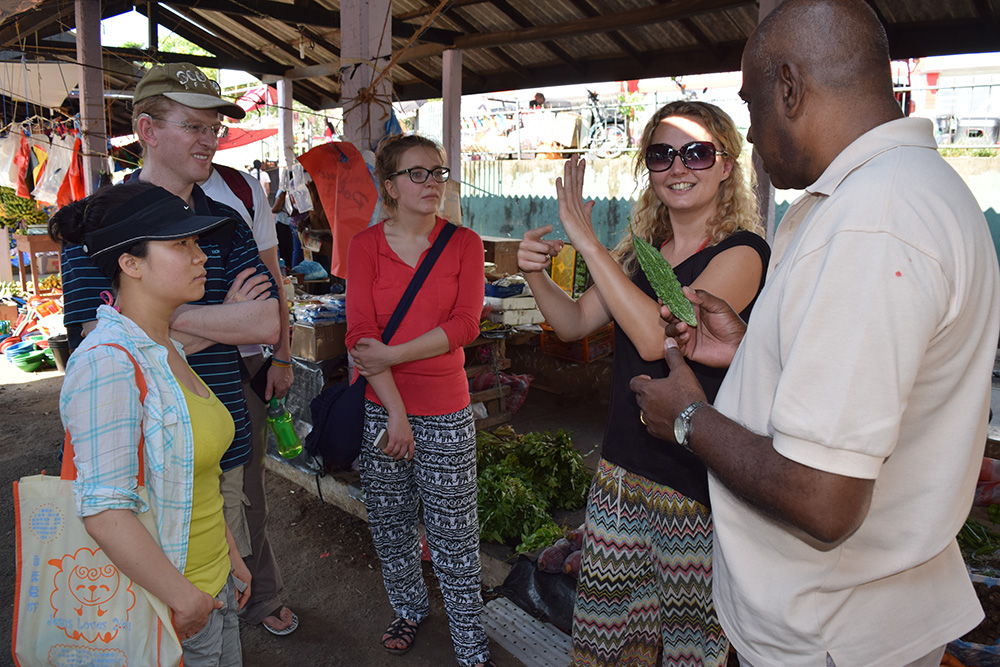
[419, 395]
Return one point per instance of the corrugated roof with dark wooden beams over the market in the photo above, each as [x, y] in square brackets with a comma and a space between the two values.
[506, 44]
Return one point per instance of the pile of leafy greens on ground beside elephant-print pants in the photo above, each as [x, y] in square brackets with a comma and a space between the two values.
[522, 478]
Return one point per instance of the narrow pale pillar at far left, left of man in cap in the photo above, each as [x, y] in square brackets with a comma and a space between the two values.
[93, 128]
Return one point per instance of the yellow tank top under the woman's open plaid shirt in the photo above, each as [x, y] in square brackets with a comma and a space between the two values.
[208, 562]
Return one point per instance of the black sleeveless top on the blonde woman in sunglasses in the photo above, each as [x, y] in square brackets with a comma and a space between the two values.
[626, 441]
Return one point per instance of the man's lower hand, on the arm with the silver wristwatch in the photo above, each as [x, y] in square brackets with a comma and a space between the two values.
[660, 401]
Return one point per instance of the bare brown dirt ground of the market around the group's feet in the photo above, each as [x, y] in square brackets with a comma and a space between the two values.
[331, 574]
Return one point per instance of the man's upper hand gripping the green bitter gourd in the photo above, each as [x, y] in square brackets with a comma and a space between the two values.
[719, 332]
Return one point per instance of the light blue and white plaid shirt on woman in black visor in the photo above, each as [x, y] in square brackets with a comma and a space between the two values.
[100, 408]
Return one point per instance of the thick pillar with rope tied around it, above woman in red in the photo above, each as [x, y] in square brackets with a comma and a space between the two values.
[365, 38]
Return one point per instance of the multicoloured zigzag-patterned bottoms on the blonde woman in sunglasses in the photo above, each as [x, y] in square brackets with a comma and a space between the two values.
[645, 578]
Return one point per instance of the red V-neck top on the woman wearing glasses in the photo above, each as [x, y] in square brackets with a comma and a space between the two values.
[450, 298]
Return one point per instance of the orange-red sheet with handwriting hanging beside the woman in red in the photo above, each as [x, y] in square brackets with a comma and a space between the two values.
[347, 192]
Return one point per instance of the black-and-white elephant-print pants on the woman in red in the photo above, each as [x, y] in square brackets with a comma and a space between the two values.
[442, 477]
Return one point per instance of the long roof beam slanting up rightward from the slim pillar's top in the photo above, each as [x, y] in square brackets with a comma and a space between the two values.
[599, 24]
